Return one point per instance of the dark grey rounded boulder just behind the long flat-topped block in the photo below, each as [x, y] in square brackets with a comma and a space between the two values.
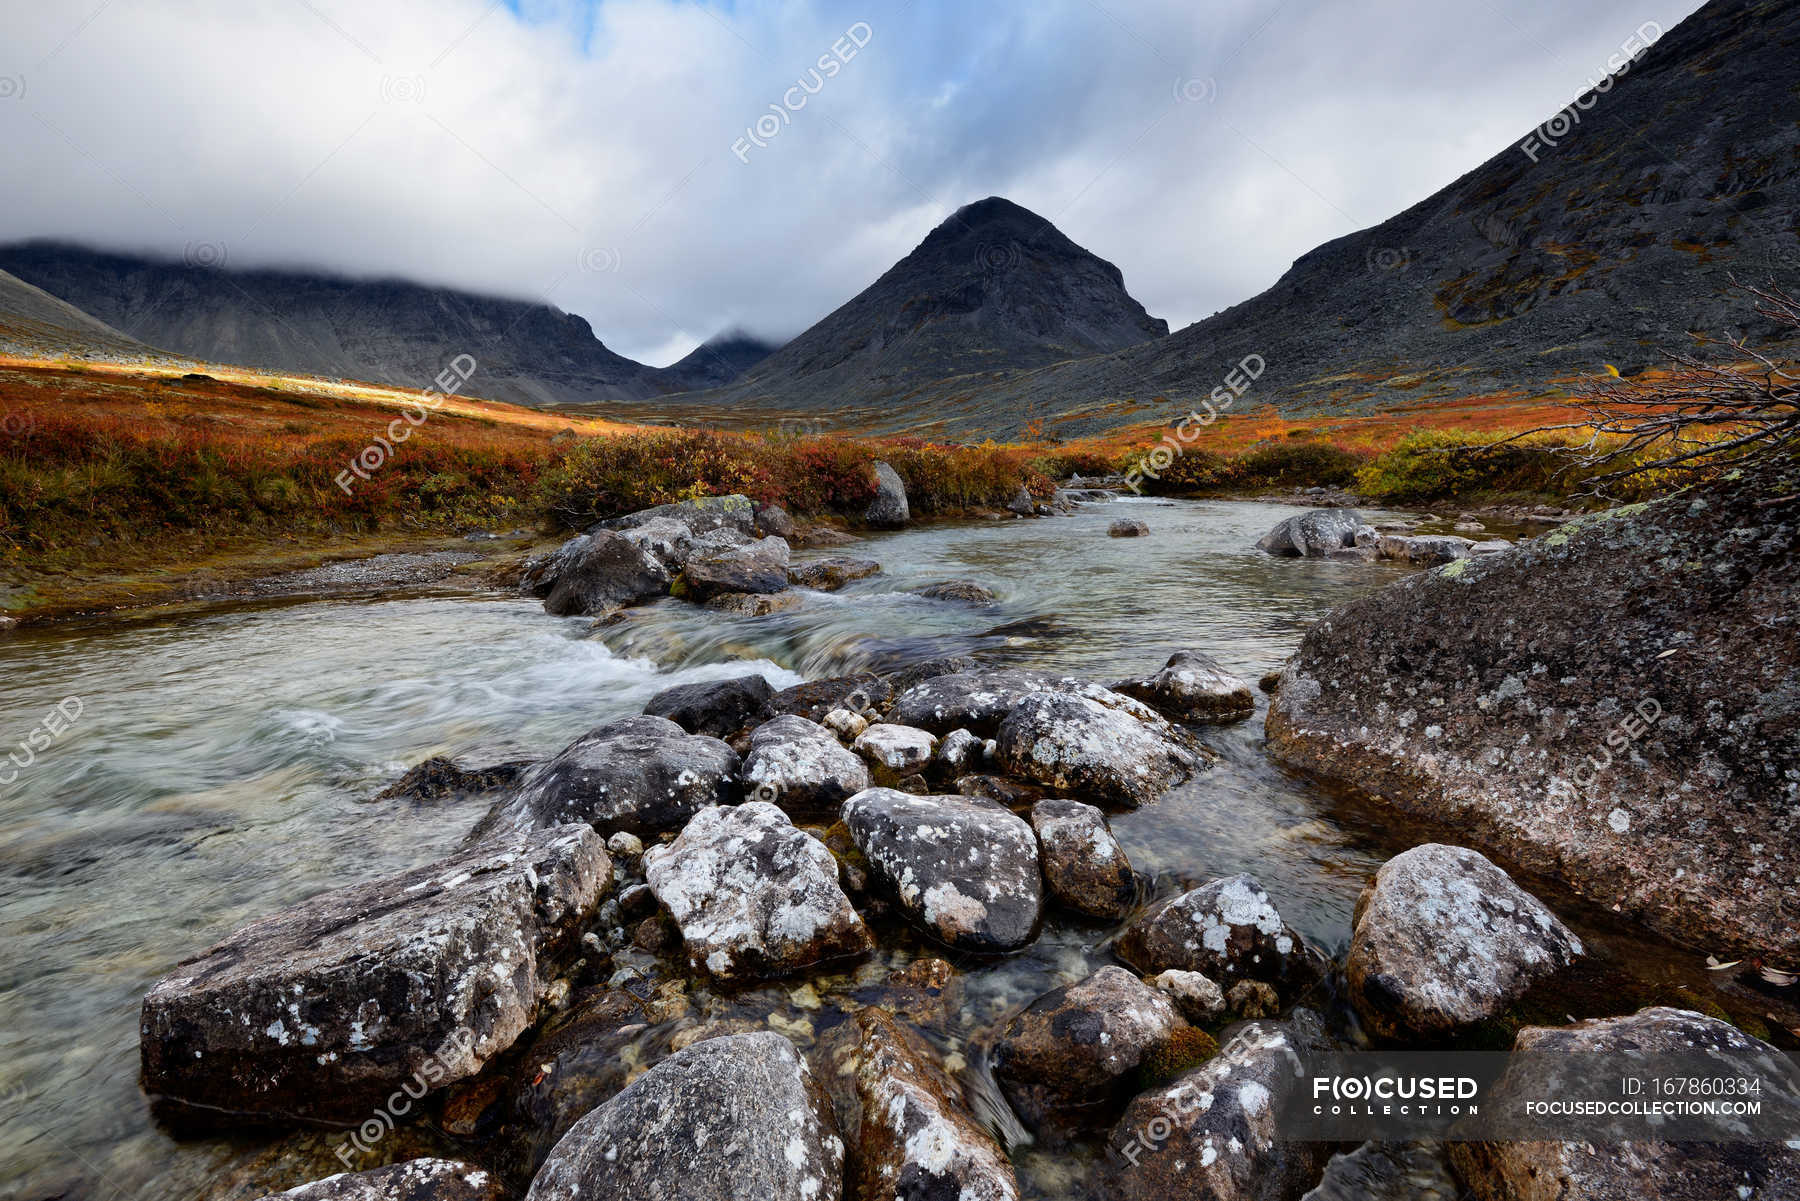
[640, 775]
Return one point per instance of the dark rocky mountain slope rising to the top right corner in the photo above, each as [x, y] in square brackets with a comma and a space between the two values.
[1612, 246]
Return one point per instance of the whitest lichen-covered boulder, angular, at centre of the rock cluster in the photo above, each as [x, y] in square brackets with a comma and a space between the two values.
[753, 896]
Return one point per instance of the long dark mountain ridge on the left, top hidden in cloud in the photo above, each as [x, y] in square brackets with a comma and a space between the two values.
[379, 330]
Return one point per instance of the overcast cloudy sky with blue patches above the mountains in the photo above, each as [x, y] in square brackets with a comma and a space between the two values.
[597, 154]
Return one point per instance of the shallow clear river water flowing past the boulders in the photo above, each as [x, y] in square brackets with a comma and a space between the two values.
[226, 764]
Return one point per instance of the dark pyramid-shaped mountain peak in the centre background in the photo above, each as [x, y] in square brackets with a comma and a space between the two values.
[993, 291]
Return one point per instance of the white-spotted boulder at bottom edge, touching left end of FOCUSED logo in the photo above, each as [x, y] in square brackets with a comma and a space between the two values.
[1216, 1132]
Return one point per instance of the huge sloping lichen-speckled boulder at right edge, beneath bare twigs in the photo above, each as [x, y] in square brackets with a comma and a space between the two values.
[1612, 705]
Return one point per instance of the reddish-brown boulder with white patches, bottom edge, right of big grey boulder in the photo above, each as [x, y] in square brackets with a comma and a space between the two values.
[915, 1139]
